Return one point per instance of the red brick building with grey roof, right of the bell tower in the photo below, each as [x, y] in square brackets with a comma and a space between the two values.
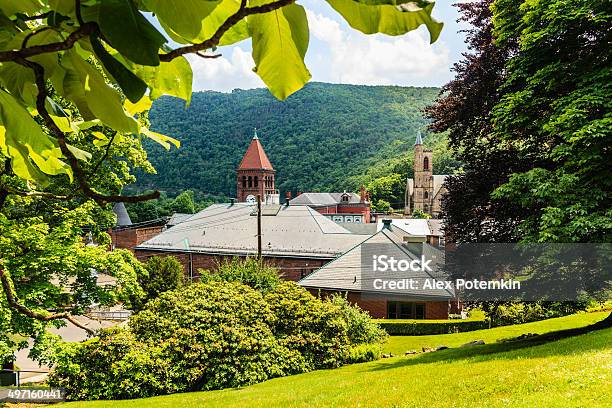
[340, 207]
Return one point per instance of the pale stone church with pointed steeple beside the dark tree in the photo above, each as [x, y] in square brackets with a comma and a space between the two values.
[425, 191]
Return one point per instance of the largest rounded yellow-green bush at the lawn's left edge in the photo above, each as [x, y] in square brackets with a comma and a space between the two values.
[214, 335]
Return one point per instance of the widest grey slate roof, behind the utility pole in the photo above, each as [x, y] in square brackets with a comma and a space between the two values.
[289, 231]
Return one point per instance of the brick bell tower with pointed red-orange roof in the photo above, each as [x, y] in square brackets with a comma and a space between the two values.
[255, 175]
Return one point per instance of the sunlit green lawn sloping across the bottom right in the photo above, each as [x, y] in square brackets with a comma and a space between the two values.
[572, 372]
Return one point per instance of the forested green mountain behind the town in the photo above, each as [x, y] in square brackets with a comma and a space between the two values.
[324, 137]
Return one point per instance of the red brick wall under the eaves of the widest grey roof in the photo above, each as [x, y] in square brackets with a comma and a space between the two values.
[291, 268]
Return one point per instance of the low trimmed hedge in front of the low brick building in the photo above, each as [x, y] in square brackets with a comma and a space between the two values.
[426, 327]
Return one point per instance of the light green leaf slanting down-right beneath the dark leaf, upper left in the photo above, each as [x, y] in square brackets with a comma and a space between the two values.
[86, 87]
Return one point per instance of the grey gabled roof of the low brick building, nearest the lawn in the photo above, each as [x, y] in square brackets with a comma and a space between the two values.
[350, 273]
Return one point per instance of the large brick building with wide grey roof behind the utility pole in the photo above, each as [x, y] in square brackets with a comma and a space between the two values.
[295, 239]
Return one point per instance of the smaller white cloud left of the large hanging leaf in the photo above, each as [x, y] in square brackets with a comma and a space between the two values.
[225, 73]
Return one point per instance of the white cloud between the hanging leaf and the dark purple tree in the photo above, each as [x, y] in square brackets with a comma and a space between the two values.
[376, 59]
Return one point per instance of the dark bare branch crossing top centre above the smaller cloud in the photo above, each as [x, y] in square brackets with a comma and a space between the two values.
[232, 20]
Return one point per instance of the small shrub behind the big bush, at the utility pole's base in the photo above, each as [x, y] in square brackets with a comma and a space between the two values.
[251, 272]
